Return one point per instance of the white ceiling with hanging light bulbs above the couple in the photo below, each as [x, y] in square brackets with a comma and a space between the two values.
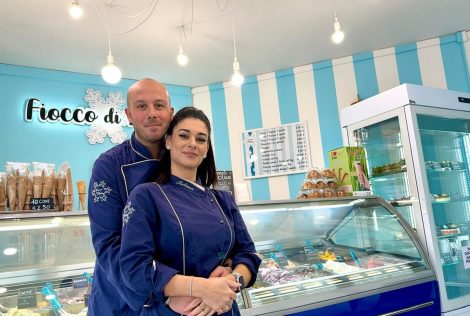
[270, 34]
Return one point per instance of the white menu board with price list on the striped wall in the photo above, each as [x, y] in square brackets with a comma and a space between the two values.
[275, 151]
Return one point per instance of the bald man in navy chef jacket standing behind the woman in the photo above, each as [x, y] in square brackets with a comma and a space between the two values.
[115, 173]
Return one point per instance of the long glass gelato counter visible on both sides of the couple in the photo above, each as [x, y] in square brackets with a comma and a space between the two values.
[338, 256]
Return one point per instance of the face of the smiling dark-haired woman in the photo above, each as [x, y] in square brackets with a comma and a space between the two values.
[188, 144]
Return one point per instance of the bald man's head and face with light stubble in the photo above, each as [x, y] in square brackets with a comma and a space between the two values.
[149, 111]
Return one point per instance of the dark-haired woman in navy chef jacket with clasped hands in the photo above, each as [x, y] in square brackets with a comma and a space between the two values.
[177, 230]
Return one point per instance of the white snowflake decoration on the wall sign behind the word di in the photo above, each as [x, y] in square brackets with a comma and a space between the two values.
[106, 110]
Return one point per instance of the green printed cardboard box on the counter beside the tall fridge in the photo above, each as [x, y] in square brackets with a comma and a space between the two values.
[350, 167]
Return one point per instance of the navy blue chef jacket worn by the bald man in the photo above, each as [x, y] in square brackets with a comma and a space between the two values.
[115, 173]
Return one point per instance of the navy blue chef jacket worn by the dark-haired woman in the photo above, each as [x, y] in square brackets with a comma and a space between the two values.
[191, 238]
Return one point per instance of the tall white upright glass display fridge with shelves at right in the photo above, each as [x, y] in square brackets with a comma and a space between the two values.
[418, 148]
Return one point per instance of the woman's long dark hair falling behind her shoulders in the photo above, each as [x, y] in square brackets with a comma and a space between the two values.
[206, 172]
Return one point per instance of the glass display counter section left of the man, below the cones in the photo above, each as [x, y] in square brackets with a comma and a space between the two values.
[45, 263]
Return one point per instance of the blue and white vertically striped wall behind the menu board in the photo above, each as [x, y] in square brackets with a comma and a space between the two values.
[316, 93]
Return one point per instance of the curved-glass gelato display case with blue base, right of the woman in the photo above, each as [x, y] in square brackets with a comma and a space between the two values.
[343, 256]
